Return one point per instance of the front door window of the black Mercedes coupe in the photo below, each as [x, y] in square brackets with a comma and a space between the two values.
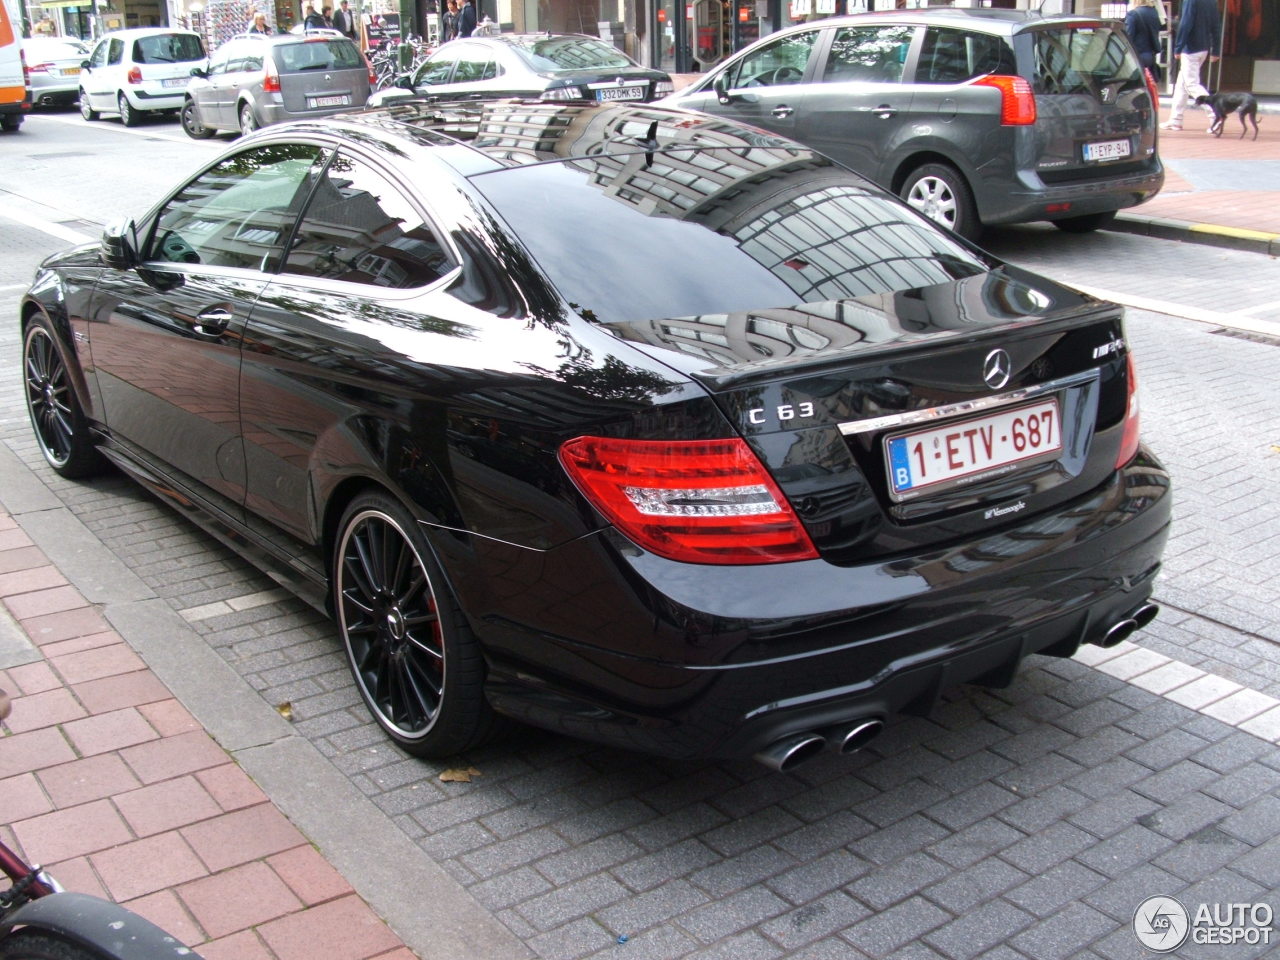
[240, 212]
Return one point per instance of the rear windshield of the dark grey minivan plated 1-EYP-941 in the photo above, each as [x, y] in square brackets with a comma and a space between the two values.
[1085, 61]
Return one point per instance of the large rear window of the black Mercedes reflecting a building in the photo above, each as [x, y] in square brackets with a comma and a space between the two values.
[716, 231]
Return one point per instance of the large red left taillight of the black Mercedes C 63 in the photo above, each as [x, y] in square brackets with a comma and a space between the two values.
[692, 501]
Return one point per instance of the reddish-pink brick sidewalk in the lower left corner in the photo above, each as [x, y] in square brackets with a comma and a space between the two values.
[108, 781]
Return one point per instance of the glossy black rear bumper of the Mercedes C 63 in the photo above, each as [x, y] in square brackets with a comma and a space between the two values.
[688, 661]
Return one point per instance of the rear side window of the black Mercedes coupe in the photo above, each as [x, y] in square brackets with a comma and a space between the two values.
[360, 228]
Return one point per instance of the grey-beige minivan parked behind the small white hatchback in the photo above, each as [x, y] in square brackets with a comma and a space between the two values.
[258, 80]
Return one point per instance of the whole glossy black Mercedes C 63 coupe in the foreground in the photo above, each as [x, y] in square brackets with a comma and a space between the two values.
[630, 423]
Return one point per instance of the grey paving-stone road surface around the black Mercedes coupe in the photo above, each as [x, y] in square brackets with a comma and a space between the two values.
[1018, 824]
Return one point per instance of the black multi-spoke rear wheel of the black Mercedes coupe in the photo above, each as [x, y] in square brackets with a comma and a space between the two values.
[414, 659]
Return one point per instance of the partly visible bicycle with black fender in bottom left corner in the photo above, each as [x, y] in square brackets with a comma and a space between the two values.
[40, 921]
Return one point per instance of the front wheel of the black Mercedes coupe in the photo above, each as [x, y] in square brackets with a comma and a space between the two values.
[60, 424]
